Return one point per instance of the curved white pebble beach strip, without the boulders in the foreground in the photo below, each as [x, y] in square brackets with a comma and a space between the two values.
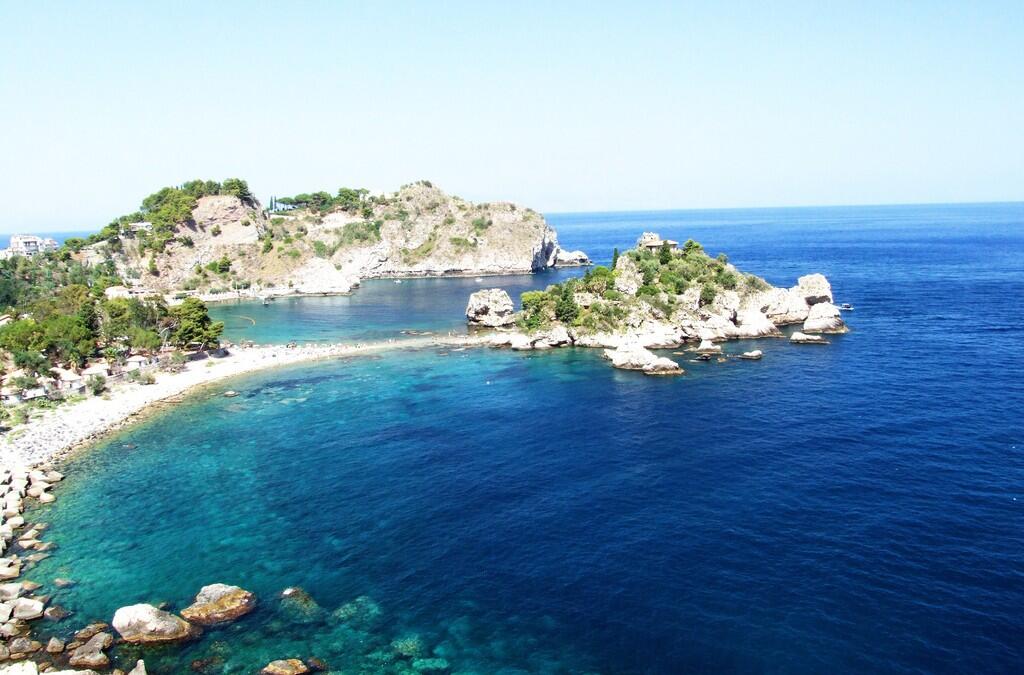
[57, 433]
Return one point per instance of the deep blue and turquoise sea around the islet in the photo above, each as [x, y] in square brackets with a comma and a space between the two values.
[857, 509]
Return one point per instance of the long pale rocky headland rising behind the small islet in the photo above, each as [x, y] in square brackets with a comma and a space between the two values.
[231, 244]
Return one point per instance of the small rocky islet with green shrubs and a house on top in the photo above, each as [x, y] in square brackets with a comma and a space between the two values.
[658, 296]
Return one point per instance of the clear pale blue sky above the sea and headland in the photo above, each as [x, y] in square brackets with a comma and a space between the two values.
[567, 106]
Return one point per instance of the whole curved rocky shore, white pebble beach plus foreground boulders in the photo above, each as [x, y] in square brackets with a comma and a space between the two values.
[27, 474]
